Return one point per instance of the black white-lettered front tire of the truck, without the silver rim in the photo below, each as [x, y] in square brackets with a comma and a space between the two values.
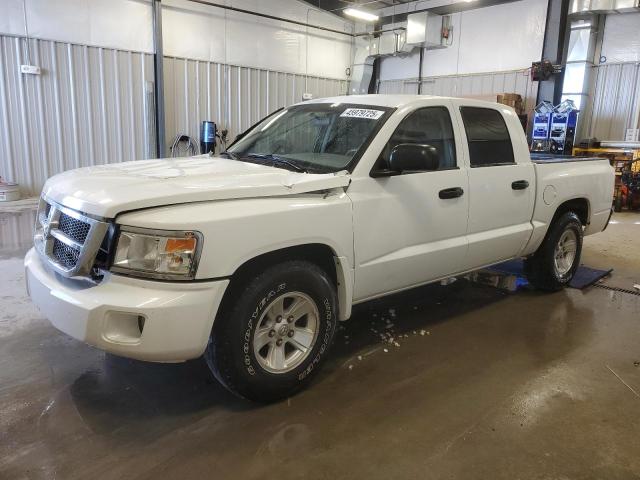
[230, 353]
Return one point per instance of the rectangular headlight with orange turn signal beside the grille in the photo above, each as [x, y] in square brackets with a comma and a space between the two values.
[160, 254]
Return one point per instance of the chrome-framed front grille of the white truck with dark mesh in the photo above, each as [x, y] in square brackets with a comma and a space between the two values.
[67, 240]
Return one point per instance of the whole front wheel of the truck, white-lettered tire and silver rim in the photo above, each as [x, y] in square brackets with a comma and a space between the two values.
[272, 338]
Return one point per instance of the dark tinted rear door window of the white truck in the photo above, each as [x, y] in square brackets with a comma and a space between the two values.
[488, 137]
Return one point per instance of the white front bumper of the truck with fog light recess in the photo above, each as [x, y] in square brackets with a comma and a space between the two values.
[141, 319]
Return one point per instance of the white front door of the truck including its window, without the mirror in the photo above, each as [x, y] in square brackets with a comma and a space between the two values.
[411, 228]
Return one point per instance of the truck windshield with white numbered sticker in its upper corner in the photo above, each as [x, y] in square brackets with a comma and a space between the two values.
[315, 136]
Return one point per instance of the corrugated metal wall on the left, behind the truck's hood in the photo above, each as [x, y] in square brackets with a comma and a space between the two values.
[92, 106]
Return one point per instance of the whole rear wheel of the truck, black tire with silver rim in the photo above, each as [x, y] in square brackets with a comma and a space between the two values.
[553, 265]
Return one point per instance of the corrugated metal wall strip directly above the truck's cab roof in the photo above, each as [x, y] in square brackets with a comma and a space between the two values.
[483, 85]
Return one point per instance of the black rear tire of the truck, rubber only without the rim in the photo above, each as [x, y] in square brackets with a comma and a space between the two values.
[540, 268]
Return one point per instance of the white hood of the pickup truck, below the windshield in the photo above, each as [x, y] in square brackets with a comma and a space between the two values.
[108, 190]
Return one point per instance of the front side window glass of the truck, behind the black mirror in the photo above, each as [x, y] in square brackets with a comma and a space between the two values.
[427, 126]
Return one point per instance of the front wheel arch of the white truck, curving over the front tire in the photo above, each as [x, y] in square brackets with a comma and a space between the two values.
[322, 255]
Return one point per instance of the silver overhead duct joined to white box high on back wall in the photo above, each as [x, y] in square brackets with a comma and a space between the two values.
[421, 30]
